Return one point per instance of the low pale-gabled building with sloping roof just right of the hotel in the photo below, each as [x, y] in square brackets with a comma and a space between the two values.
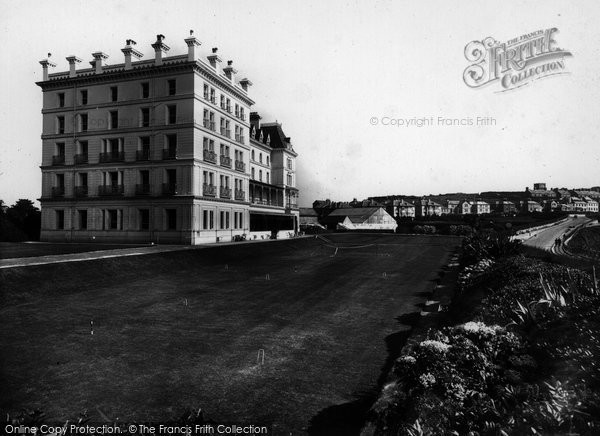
[361, 218]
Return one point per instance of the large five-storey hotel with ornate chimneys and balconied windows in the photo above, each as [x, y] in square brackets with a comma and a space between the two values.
[160, 151]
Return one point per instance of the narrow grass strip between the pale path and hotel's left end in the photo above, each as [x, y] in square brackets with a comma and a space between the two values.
[10, 250]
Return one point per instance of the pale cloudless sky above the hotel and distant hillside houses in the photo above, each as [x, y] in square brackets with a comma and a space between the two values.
[336, 74]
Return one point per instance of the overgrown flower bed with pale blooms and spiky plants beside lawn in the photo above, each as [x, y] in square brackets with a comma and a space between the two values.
[527, 363]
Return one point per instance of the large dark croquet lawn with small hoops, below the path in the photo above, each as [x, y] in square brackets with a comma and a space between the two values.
[183, 329]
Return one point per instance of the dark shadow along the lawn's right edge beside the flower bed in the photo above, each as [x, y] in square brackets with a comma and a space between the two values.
[348, 419]
